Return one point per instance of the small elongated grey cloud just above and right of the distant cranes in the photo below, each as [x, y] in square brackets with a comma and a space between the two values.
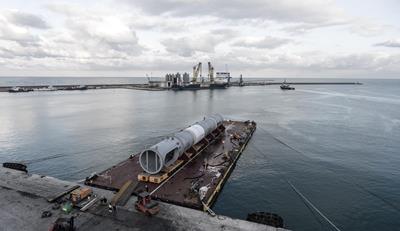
[262, 43]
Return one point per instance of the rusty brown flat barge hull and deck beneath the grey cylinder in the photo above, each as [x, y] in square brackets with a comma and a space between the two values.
[205, 169]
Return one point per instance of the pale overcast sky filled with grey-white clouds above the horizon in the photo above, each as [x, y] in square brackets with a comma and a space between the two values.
[256, 38]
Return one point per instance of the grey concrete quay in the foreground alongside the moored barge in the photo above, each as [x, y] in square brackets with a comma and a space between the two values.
[24, 197]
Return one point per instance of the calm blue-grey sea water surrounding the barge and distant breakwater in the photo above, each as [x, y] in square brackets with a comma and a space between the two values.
[339, 145]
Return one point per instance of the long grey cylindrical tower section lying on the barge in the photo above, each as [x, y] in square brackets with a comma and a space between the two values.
[166, 152]
